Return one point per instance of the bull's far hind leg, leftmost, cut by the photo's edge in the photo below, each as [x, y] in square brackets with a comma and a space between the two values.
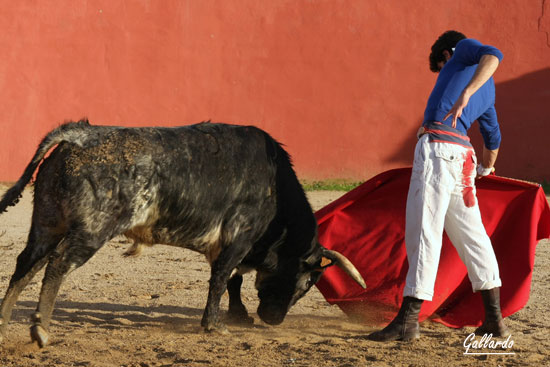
[29, 262]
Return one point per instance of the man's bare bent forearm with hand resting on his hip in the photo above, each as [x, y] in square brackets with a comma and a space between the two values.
[485, 69]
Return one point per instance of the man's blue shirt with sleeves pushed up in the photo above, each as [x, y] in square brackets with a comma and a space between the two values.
[452, 79]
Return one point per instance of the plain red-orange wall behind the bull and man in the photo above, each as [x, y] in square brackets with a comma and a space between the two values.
[342, 84]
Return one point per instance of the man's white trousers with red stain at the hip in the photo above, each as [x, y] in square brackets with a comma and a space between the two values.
[442, 196]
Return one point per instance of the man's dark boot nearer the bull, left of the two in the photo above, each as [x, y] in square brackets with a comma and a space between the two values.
[405, 325]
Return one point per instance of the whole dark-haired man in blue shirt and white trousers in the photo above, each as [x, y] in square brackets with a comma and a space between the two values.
[442, 191]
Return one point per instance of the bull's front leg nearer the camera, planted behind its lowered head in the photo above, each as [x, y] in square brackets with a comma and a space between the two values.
[229, 258]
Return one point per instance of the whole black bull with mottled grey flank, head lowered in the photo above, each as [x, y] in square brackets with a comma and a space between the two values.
[228, 192]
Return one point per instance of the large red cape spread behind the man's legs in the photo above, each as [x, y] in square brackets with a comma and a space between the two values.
[367, 225]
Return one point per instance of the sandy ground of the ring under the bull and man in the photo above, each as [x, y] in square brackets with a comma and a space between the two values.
[146, 311]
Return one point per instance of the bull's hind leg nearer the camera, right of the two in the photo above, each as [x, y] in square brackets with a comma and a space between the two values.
[71, 253]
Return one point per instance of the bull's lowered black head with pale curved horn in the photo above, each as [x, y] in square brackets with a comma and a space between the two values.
[279, 290]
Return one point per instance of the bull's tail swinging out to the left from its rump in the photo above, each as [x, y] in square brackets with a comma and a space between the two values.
[73, 132]
